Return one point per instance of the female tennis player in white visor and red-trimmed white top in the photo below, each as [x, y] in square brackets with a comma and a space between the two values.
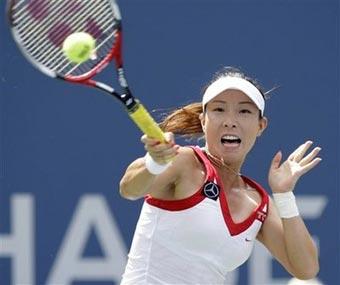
[200, 216]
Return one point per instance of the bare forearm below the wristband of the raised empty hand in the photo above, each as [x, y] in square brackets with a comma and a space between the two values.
[300, 248]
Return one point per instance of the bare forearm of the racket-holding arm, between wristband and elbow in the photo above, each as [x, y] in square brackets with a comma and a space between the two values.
[136, 181]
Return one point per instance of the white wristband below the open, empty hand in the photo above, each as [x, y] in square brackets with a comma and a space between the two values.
[286, 204]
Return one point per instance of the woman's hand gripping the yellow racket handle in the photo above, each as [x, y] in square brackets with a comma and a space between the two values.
[161, 152]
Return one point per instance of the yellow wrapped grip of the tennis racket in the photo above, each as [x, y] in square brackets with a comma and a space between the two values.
[146, 123]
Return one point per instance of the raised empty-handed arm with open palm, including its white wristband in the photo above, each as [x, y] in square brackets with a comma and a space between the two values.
[284, 232]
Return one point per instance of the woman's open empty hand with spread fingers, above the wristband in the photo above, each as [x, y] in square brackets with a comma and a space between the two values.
[282, 178]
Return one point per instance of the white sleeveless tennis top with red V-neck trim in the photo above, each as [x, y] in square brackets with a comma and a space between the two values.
[193, 240]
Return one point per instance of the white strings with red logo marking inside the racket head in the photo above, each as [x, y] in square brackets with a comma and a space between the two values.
[43, 31]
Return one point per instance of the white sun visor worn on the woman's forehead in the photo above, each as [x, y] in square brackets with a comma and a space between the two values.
[238, 83]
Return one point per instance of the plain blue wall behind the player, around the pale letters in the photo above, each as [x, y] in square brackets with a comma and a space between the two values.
[61, 142]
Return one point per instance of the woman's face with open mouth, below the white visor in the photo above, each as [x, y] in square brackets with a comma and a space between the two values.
[231, 124]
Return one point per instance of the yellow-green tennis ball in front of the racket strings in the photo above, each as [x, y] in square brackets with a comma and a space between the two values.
[78, 47]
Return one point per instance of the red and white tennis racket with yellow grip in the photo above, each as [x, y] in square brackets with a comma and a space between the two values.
[40, 27]
